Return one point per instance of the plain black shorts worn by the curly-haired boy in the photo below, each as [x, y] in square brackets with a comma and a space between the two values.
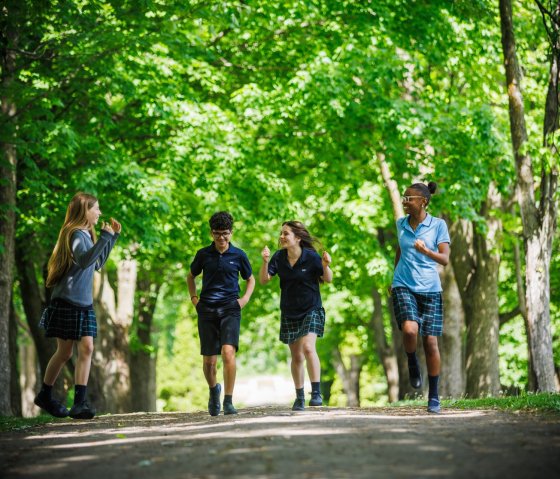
[218, 324]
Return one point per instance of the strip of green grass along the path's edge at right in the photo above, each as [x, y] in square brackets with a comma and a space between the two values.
[542, 402]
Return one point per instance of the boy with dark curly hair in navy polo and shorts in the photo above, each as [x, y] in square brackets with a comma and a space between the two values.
[219, 306]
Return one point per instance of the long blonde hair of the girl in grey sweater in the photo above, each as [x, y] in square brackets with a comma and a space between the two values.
[76, 219]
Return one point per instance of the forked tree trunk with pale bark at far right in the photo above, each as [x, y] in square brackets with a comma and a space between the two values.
[538, 223]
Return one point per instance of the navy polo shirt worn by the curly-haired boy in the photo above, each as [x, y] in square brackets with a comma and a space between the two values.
[220, 282]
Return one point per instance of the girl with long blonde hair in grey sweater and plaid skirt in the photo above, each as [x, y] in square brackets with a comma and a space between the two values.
[70, 317]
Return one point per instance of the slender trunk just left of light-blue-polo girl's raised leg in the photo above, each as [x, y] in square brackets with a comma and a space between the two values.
[385, 350]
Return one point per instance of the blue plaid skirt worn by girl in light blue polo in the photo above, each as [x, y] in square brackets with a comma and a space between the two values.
[424, 308]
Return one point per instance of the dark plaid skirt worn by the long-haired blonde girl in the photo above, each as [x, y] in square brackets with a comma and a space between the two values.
[66, 321]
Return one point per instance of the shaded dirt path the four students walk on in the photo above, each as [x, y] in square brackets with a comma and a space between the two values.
[275, 443]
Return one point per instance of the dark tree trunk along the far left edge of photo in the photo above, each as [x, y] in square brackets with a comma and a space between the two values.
[8, 168]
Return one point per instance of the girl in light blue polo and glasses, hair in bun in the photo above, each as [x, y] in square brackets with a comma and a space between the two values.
[416, 288]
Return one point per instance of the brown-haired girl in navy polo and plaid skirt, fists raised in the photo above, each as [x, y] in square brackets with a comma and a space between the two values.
[300, 269]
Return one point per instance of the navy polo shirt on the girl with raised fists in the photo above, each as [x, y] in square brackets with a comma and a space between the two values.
[299, 285]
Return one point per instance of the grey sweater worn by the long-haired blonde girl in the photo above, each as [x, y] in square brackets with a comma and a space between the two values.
[76, 286]
